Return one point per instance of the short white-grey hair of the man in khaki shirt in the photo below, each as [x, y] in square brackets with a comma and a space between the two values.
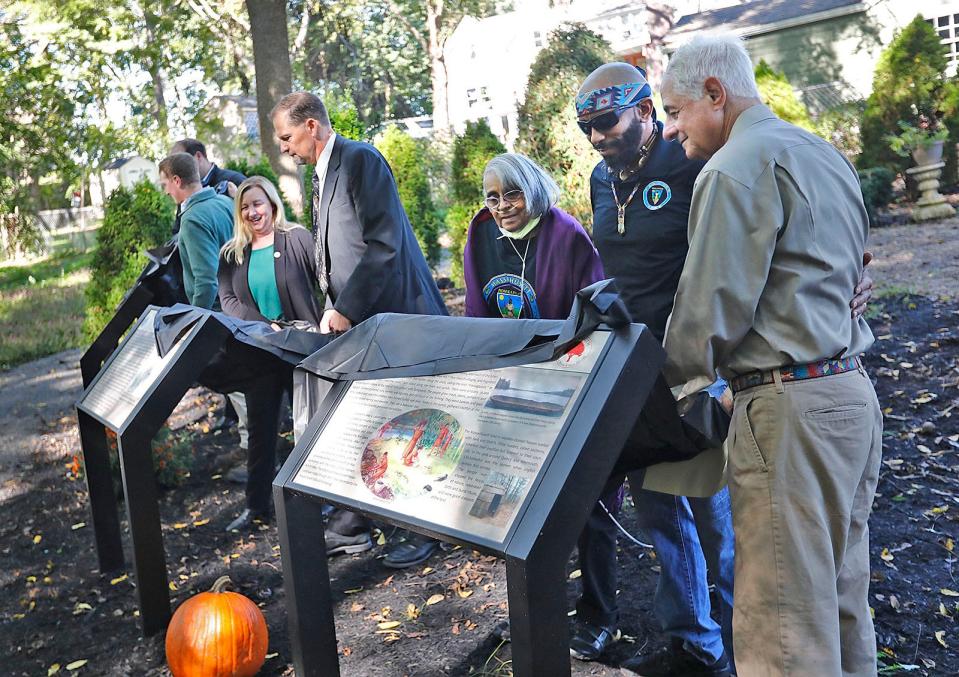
[723, 57]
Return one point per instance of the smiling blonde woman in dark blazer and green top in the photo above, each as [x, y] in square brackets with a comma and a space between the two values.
[267, 270]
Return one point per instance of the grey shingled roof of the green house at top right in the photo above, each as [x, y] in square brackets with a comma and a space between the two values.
[741, 18]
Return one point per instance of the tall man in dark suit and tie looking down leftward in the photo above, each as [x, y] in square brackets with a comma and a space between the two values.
[367, 259]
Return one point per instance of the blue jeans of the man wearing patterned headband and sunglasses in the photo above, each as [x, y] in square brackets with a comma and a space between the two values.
[691, 536]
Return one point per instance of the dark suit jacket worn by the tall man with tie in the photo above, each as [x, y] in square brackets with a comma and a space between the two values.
[373, 261]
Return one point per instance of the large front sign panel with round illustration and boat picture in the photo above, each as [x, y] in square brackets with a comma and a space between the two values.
[457, 451]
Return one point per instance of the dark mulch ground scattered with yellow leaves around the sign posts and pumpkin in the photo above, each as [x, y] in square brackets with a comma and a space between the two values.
[59, 615]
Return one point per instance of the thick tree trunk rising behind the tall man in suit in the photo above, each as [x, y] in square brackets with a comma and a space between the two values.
[274, 80]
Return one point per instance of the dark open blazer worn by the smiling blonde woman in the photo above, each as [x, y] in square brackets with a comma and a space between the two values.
[295, 271]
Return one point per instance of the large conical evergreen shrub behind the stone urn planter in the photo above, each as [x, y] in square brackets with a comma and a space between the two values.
[909, 85]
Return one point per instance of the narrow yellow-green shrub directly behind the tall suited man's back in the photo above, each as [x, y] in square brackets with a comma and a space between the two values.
[407, 158]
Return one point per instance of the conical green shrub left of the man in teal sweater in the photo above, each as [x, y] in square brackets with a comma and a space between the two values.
[133, 221]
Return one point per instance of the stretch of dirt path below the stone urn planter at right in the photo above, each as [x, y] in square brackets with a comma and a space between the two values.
[922, 259]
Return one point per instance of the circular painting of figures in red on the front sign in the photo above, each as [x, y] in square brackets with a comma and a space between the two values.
[412, 454]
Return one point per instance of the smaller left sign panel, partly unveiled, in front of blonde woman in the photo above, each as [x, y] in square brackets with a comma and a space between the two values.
[127, 378]
